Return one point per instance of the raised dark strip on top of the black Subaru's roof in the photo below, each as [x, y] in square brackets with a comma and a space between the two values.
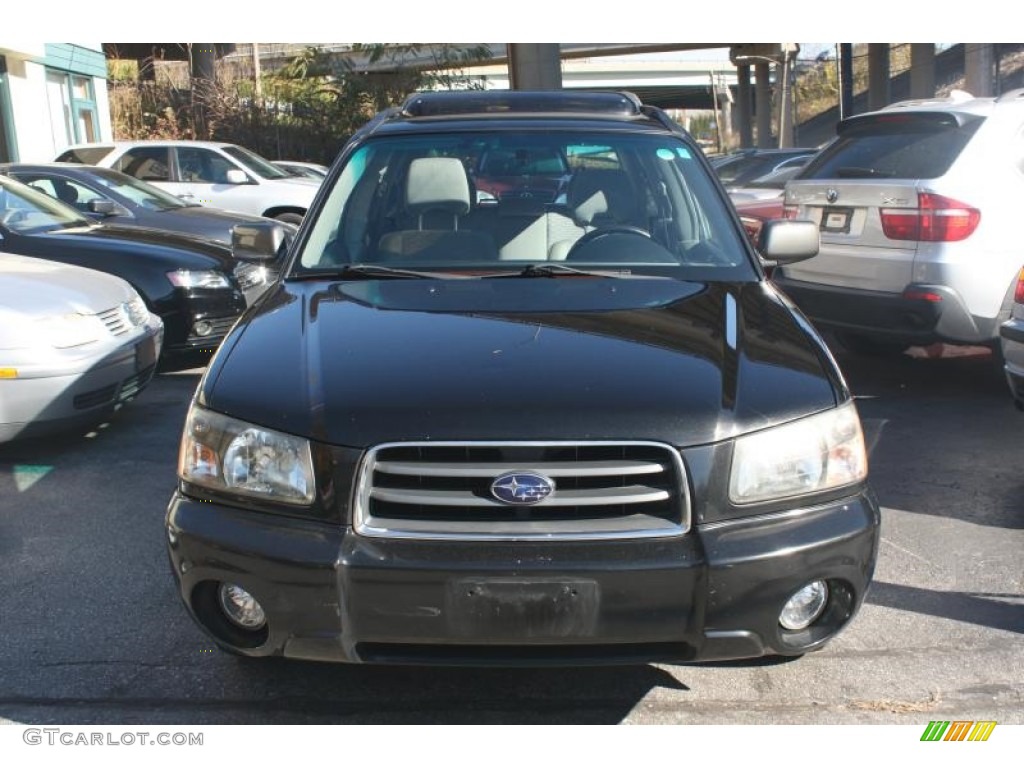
[440, 104]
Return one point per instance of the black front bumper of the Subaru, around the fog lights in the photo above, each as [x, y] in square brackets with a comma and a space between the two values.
[712, 594]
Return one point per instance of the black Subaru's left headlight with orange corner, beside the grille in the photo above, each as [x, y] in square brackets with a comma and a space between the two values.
[226, 454]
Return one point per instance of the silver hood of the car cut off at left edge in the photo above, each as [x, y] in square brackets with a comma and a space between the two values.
[32, 289]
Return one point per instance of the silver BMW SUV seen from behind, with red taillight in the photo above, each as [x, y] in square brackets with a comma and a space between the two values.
[920, 243]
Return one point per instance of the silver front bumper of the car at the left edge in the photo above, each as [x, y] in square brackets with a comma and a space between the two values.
[44, 402]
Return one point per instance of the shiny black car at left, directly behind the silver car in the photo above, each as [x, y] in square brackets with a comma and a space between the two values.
[190, 283]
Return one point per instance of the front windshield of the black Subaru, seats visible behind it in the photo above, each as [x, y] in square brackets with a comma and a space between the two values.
[611, 201]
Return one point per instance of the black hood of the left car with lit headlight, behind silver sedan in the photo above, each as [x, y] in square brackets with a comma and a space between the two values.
[180, 251]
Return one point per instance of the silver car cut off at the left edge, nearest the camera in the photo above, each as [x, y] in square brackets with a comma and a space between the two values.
[75, 346]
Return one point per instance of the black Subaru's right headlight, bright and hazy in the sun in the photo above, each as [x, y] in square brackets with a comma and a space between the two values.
[816, 454]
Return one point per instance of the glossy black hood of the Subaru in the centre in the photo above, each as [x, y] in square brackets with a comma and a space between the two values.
[360, 364]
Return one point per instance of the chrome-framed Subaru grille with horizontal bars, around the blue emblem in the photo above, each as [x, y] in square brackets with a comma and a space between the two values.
[443, 491]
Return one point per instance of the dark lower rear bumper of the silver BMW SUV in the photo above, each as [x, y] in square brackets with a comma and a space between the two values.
[889, 316]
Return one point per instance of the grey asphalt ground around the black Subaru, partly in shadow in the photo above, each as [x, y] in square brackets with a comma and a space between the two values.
[94, 632]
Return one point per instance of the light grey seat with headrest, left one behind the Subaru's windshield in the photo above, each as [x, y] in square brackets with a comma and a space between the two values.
[438, 192]
